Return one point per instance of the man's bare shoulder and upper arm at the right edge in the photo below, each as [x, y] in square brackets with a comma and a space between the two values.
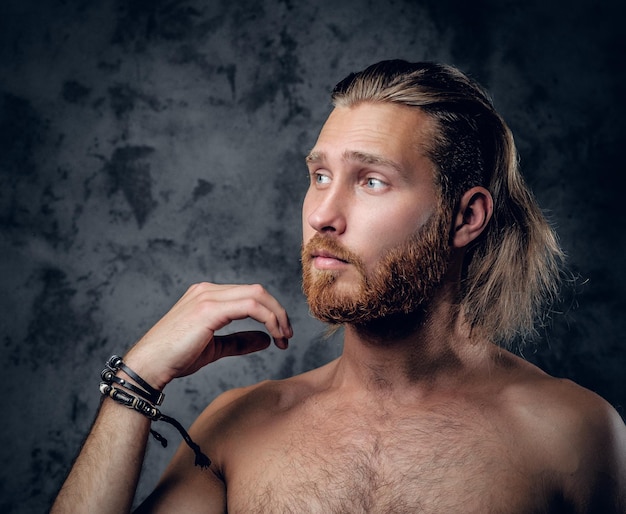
[572, 432]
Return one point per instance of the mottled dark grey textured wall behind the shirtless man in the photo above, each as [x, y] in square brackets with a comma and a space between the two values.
[149, 144]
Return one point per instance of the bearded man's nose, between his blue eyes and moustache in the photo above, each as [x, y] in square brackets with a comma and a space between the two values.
[324, 211]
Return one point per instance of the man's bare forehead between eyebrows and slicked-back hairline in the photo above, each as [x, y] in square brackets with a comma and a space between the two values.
[391, 132]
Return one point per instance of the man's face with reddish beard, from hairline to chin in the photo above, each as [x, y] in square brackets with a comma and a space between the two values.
[375, 241]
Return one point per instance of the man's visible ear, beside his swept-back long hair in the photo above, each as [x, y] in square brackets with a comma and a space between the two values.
[472, 216]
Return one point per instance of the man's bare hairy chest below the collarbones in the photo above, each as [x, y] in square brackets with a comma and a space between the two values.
[358, 464]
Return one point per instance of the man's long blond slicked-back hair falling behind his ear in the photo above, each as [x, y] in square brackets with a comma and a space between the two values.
[511, 273]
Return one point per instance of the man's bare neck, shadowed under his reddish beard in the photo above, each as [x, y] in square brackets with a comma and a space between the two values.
[411, 352]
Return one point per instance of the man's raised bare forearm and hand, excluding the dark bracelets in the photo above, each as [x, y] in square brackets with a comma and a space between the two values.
[105, 475]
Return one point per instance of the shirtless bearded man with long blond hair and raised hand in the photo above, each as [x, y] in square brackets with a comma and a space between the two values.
[422, 241]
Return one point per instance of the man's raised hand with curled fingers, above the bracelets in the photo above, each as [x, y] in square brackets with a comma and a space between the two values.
[184, 340]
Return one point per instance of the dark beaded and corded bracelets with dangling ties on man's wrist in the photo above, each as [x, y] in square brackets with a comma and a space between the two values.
[145, 407]
